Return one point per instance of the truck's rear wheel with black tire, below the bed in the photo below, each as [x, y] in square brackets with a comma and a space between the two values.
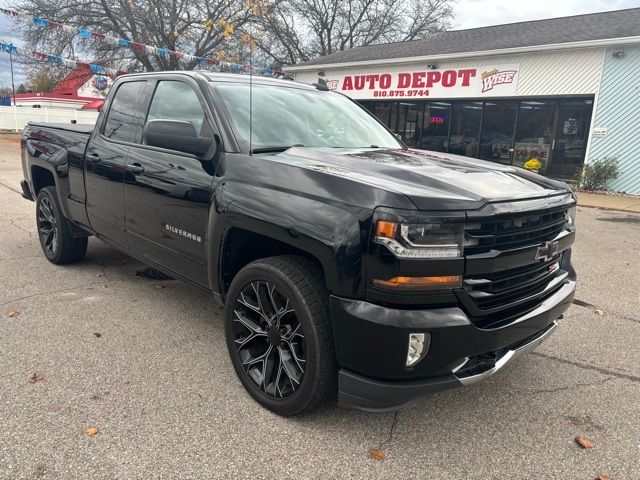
[55, 232]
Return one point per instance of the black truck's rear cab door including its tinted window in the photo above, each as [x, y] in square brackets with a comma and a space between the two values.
[105, 160]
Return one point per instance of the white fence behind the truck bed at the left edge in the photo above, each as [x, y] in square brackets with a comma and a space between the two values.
[15, 118]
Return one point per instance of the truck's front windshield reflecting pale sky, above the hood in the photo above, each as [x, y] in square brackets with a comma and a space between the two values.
[289, 116]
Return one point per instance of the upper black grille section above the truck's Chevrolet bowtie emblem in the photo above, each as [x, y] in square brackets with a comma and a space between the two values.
[513, 231]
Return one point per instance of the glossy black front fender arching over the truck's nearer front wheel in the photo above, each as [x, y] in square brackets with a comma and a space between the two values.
[332, 235]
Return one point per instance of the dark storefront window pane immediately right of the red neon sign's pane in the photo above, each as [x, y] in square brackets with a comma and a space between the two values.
[465, 128]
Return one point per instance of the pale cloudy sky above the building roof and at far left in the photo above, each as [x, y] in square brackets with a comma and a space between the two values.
[468, 14]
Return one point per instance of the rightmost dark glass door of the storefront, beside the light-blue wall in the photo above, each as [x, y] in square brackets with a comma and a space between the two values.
[570, 140]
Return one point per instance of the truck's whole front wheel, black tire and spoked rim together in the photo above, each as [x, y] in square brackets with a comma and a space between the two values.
[282, 352]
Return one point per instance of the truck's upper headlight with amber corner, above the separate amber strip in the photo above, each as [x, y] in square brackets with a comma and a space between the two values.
[424, 240]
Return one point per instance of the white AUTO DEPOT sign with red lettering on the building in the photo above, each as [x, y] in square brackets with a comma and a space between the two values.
[488, 81]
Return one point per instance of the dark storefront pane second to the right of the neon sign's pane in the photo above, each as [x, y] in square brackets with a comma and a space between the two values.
[498, 127]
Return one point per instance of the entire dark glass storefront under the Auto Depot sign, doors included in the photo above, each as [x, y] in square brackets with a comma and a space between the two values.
[555, 131]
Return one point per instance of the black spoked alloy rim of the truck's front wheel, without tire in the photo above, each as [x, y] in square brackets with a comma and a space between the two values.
[269, 339]
